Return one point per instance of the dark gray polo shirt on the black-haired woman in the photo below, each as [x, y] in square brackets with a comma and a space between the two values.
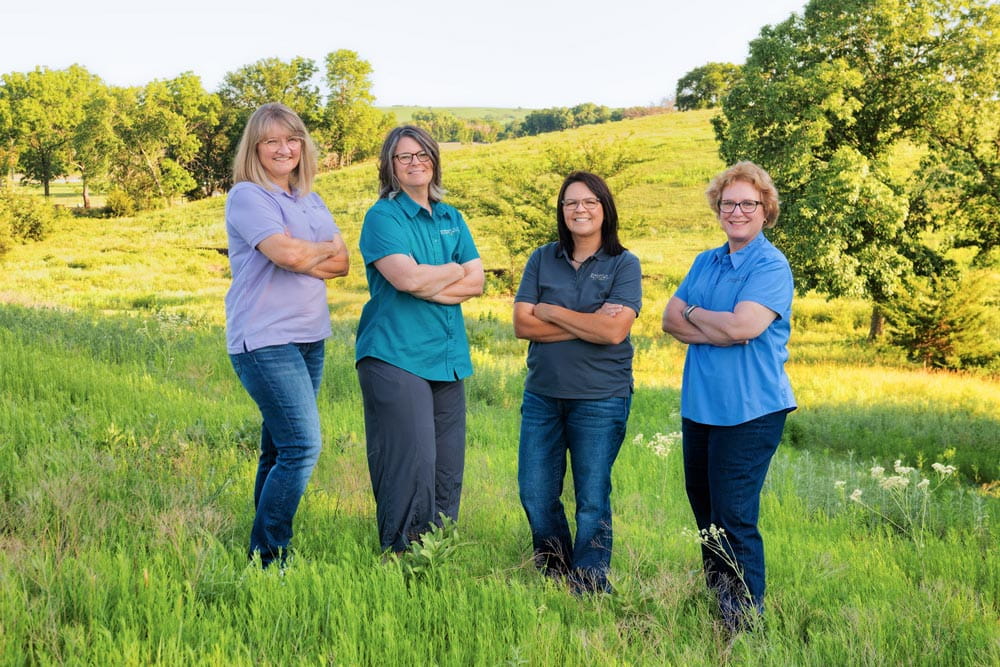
[576, 368]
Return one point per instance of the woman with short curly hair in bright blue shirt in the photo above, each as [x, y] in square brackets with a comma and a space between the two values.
[733, 309]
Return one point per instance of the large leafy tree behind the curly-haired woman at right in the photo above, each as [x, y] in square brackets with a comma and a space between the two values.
[825, 102]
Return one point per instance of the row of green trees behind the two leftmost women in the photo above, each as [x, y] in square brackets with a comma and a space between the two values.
[147, 145]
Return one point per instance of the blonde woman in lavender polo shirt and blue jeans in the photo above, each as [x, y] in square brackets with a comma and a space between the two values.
[283, 247]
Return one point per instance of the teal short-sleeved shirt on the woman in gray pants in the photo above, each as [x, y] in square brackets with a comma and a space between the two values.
[424, 338]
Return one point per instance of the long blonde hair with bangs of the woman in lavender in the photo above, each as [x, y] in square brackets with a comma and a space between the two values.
[247, 165]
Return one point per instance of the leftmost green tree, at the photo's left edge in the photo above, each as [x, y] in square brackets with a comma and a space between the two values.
[45, 107]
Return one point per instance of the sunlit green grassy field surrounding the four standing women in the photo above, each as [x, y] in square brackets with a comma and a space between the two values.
[128, 450]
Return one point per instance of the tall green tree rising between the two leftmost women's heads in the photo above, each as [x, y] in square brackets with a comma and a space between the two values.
[353, 127]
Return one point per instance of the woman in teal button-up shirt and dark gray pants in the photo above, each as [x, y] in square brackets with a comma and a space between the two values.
[412, 352]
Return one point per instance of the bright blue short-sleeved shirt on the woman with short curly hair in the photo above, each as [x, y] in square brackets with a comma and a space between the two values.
[725, 386]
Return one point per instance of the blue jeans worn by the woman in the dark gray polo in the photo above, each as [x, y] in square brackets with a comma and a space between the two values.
[591, 431]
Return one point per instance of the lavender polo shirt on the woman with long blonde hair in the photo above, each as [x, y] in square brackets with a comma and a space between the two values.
[267, 305]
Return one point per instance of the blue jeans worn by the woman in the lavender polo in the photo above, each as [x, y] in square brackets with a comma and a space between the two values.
[284, 382]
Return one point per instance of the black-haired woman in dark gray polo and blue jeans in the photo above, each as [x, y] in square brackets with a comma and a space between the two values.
[576, 304]
